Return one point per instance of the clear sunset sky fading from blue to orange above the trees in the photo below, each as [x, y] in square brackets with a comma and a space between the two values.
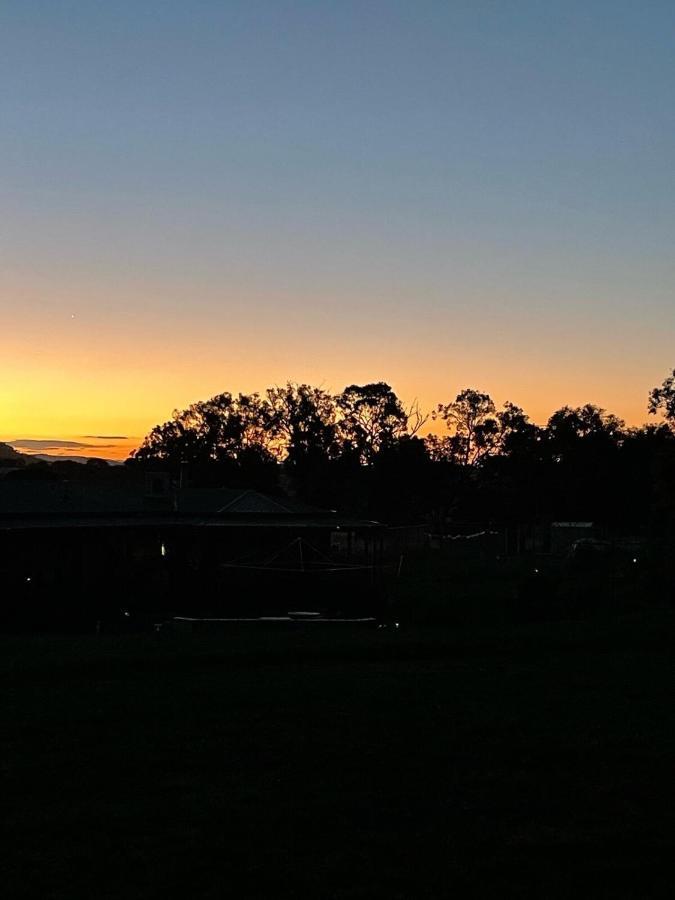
[206, 196]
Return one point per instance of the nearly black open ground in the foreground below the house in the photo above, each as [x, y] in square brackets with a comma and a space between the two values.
[534, 762]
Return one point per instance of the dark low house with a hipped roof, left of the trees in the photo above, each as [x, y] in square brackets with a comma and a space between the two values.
[81, 552]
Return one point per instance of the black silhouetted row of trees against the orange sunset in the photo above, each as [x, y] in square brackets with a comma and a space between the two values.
[361, 450]
